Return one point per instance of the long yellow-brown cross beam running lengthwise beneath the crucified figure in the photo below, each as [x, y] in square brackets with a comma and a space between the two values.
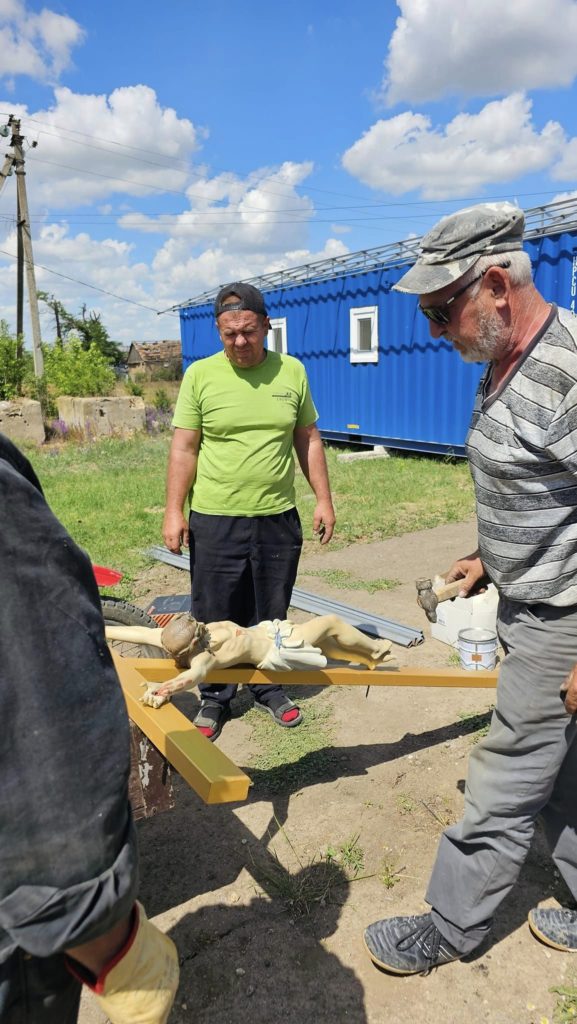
[160, 670]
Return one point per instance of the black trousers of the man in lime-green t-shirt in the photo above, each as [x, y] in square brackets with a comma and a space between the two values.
[243, 569]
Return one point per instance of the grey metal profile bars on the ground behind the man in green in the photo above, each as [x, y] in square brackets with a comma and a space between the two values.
[405, 636]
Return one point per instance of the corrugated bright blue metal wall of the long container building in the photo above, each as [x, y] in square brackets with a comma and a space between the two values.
[420, 395]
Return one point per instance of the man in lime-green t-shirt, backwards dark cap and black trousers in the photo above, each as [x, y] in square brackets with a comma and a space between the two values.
[238, 417]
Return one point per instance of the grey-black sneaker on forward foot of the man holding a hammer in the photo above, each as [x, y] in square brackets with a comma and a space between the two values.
[408, 946]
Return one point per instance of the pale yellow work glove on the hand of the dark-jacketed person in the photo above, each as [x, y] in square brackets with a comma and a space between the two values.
[140, 985]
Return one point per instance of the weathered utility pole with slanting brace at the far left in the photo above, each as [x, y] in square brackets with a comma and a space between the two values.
[25, 255]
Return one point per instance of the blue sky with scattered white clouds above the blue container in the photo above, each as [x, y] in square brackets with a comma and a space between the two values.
[186, 146]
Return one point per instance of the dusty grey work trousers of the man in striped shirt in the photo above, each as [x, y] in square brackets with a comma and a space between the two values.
[526, 766]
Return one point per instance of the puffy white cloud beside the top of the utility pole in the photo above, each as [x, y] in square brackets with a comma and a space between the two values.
[70, 167]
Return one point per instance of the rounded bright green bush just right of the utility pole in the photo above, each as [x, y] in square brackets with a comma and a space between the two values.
[70, 369]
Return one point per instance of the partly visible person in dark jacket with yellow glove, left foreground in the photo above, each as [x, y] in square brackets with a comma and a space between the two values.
[68, 859]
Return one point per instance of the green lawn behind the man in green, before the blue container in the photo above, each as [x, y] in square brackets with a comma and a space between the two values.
[110, 495]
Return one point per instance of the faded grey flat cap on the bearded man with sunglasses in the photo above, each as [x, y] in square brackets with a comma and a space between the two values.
[456, 244]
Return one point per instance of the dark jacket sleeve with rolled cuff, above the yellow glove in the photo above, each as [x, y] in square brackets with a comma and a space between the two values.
[68, 855]
